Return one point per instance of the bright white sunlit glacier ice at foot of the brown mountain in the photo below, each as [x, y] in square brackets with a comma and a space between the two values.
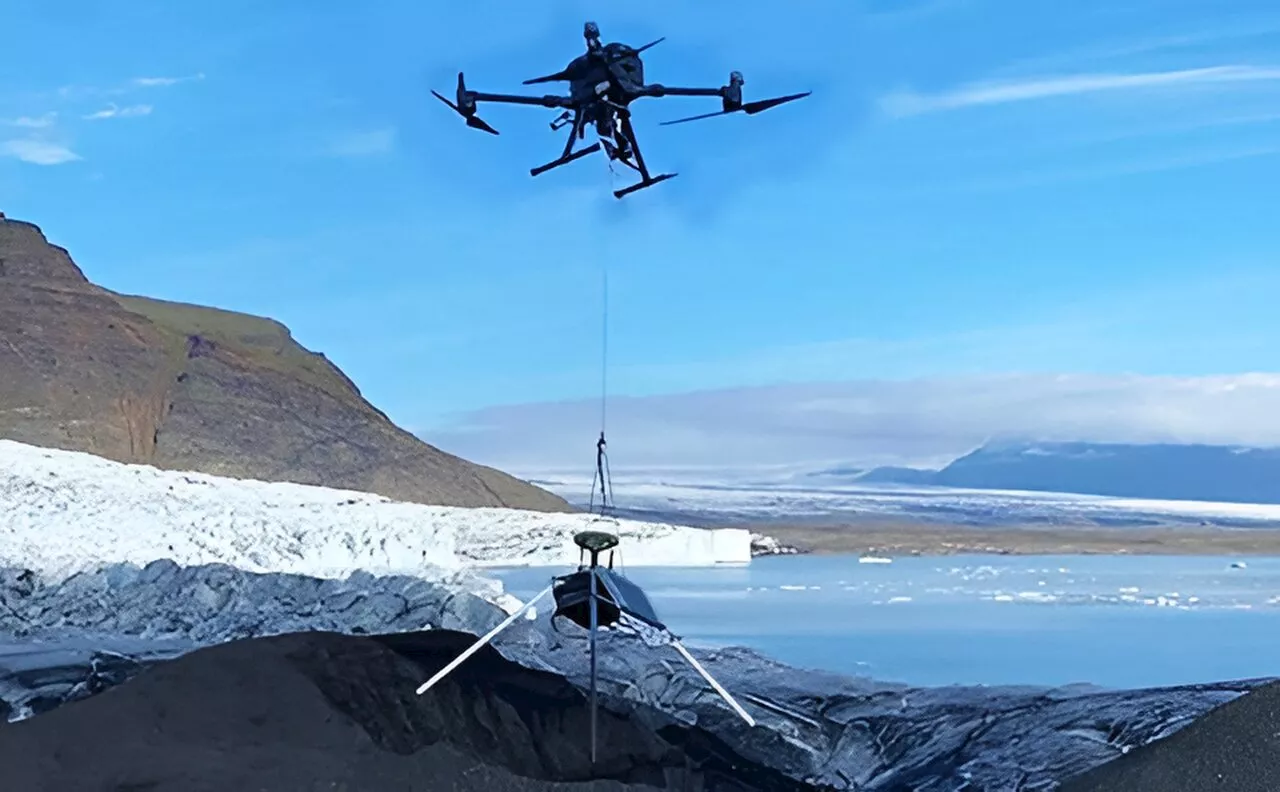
[67, 512]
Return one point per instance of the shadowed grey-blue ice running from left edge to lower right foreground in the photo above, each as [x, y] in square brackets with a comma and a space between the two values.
[825, 730]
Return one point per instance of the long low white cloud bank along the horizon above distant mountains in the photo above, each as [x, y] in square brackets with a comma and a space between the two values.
[924, 422]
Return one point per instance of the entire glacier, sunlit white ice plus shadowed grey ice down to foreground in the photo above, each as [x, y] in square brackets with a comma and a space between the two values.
[107, 570]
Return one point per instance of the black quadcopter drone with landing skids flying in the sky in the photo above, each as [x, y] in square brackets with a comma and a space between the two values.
[602, 85]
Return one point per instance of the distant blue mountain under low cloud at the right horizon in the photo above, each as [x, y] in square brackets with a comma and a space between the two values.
[1159, 471]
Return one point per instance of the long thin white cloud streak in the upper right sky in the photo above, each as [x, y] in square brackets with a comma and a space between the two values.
[909, 103]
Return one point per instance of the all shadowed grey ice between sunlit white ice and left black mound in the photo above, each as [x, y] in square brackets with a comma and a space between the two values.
[65, 639]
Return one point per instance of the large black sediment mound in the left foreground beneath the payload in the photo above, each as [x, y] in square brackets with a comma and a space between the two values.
[331, 712]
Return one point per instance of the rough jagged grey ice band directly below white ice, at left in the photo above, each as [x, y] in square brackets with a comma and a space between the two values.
[213, 603]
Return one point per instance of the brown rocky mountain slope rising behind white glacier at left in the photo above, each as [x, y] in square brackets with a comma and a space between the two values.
[193, 388]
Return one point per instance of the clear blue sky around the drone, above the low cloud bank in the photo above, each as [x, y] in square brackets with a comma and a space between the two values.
[977, 187]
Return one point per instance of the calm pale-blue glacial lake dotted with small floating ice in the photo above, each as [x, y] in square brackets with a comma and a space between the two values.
[1113, 621]
